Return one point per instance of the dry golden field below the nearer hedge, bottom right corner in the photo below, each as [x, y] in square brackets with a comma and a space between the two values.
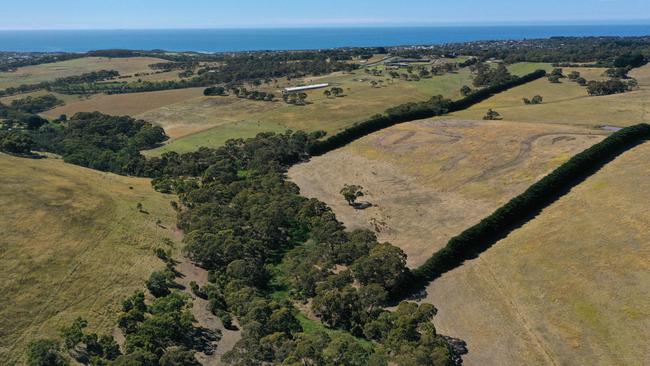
[568, 288]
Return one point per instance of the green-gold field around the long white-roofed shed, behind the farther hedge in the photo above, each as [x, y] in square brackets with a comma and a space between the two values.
[361, 101]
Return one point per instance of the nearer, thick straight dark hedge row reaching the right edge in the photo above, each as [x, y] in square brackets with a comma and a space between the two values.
[522, 208]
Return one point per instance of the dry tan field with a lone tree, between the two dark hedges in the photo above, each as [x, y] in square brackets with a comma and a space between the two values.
[429, 180]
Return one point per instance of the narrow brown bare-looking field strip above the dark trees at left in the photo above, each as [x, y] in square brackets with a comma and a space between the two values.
[124, 104]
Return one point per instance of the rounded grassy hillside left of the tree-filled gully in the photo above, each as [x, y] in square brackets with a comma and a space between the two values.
[72, 244]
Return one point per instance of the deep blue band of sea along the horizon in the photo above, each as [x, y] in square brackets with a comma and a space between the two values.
[224, 40]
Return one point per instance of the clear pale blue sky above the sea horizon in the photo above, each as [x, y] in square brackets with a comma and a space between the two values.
[120, 14]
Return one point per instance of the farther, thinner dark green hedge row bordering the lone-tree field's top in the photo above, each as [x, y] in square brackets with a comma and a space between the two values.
[413, 111]
